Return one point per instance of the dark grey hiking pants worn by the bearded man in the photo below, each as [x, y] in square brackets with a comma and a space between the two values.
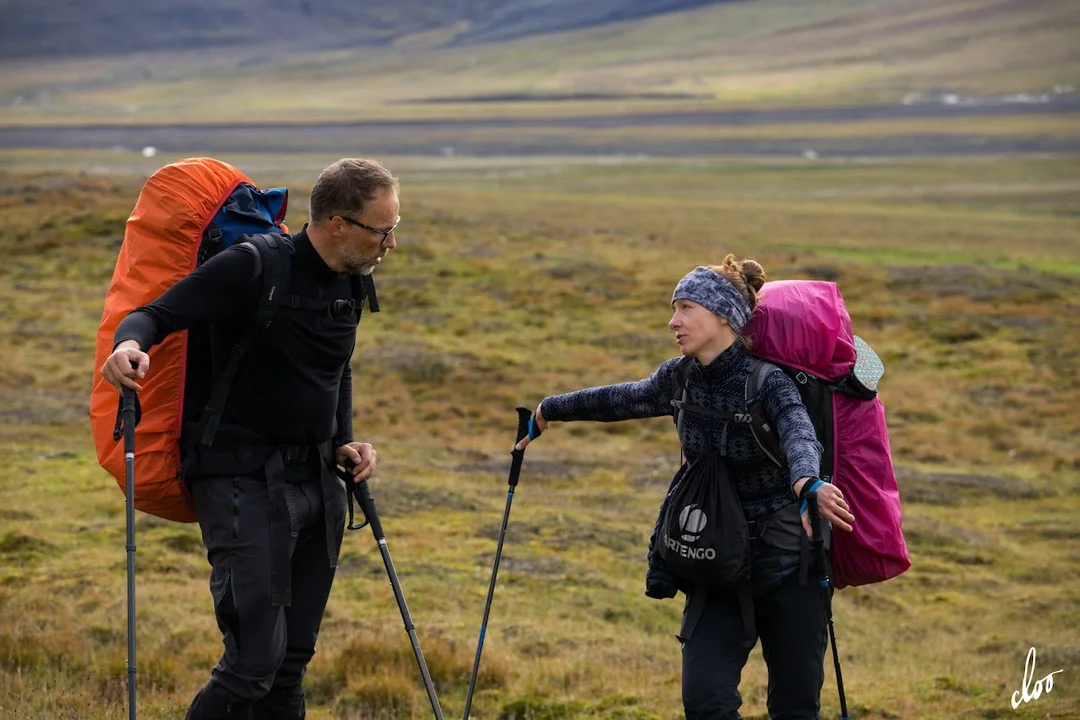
[267, 646]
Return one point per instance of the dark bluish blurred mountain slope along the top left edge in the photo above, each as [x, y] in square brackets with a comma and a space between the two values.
[29, 29]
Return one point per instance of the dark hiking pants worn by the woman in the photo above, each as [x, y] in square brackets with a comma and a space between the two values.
[791, 621]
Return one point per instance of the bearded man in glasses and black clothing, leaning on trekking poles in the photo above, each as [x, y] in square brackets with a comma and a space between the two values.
[271, 510]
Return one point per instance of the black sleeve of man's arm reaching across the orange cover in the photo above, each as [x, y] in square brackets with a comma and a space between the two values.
[223, 290]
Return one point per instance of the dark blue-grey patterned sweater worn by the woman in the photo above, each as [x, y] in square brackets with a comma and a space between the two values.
[763, 486]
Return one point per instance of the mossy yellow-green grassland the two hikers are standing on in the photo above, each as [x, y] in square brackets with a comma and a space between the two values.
[516, 279]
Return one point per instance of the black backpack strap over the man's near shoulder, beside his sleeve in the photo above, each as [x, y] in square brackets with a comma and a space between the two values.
[274, 263]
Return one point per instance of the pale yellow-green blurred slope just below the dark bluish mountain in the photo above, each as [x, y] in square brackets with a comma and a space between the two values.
[742, 55]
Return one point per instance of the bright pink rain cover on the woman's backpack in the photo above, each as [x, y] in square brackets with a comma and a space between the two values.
[805, 325]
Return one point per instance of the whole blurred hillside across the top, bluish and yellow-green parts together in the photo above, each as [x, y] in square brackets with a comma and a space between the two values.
[318, 61]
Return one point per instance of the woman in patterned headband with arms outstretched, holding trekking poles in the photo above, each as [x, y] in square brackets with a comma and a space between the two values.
[712, 306]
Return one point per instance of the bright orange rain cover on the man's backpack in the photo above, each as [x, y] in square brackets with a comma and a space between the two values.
[160, 247]
